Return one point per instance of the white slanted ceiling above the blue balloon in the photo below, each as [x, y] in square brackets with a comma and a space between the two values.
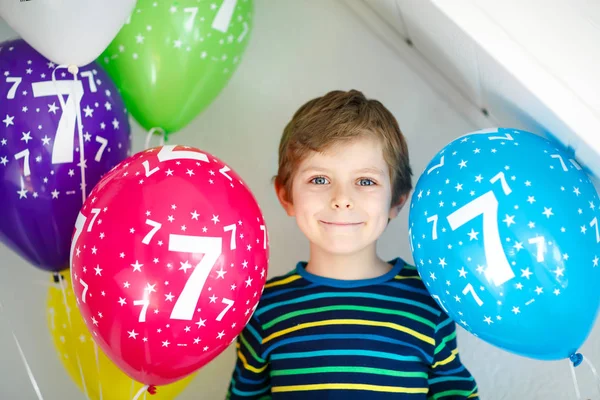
[524, 64]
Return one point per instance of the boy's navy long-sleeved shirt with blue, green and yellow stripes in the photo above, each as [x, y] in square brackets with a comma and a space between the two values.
[319, 338]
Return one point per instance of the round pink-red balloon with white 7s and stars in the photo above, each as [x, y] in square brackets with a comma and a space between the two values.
[169, 259]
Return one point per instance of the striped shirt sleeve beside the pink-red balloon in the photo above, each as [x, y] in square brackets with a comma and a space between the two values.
[250, 380]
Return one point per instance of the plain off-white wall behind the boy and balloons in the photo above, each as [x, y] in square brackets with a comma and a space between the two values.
[286, 64]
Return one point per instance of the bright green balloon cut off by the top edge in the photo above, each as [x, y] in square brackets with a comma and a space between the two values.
[172, 58]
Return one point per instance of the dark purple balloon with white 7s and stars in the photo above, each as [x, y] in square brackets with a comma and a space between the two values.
[47, 164]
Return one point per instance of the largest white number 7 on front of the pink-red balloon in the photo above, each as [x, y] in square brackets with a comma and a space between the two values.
[212, 248]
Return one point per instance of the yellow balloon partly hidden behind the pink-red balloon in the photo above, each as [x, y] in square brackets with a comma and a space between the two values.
[85, 362]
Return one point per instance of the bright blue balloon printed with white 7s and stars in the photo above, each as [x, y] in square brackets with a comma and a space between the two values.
[504, 231]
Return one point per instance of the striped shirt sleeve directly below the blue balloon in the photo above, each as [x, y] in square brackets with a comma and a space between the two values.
[448, 377]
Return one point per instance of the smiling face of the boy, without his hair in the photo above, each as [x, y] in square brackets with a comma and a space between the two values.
[342, 197]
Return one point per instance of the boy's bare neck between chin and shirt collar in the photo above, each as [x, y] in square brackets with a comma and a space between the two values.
[362, 265]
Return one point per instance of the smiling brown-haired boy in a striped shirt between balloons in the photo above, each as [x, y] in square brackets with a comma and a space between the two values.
[346, 324]
